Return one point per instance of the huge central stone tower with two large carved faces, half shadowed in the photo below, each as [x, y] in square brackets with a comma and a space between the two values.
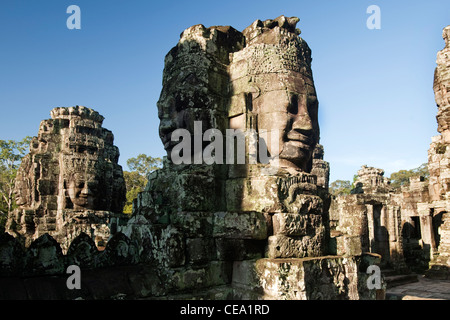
[240, 207]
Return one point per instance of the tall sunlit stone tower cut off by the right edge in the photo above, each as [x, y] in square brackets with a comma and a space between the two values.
[435, 216]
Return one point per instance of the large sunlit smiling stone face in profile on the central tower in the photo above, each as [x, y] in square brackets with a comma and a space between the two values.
[294, 114]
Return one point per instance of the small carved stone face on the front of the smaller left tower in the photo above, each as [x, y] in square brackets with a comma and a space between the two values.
[81, 190]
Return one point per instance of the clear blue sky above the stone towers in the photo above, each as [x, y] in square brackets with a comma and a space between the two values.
[375, 87]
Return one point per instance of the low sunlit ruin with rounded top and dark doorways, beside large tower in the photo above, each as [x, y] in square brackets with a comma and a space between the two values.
[368, 220]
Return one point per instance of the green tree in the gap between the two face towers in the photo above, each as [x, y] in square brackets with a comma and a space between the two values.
[136, 179]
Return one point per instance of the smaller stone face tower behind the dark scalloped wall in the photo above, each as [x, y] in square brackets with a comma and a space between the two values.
[70, 182]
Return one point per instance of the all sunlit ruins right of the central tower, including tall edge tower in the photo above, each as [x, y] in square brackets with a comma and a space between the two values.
[410, 229]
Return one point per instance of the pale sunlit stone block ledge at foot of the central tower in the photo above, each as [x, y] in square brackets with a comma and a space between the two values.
[321, 278]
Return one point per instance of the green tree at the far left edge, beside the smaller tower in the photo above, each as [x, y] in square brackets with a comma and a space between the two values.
[11, 153]
